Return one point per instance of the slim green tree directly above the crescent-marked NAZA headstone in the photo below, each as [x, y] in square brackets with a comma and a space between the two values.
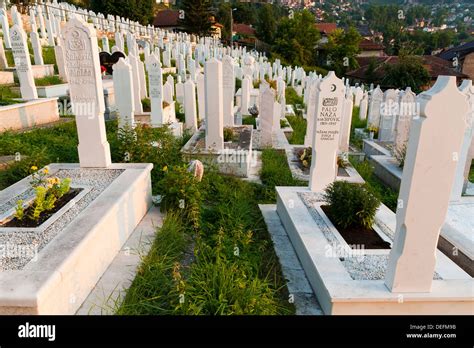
[342, 49]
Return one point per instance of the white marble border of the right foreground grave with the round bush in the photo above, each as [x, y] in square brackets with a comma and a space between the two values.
[338, 293]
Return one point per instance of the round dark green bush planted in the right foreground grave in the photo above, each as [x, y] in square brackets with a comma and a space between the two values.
[351, 204]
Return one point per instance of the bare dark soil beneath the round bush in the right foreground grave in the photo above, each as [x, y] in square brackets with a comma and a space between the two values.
[358, 236]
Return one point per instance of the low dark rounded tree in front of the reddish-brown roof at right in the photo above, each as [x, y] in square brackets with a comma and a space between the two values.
[408, 71]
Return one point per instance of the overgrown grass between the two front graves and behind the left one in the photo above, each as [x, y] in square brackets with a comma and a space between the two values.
[195, 249]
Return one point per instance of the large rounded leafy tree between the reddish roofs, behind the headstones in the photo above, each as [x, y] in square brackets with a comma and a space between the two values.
[296, 39]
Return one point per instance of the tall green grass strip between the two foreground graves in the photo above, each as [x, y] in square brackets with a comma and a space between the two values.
[235, 270]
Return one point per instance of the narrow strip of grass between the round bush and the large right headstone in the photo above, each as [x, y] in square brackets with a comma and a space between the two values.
[386, 195]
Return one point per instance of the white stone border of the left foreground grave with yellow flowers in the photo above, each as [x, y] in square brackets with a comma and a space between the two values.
[69, 266]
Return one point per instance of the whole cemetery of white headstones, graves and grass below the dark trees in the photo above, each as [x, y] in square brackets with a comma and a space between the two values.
[307, 185]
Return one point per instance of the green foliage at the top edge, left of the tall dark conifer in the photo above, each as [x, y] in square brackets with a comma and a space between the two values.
[136, 10]
